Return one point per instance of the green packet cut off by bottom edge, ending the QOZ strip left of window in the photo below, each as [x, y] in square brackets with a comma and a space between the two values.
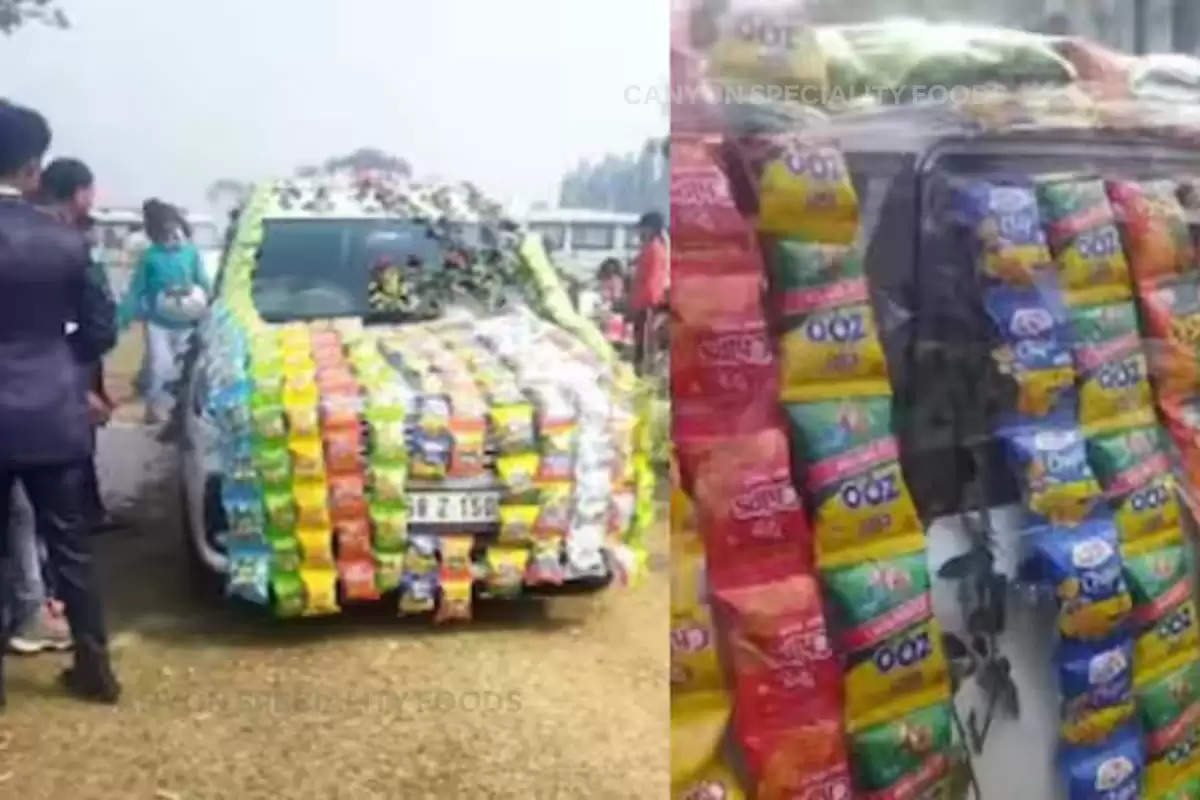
[904, 757]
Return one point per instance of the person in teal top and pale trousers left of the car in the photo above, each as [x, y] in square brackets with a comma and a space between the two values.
[169, 292]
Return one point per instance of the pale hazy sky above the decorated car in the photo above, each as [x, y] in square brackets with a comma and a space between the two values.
[164, 97]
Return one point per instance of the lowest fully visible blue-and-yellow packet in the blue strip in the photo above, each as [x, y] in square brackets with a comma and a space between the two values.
[1096, 681]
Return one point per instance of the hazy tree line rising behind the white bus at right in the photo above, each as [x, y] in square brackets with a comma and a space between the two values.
[631, 183]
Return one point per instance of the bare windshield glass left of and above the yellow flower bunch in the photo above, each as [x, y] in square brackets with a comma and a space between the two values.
[321, 268]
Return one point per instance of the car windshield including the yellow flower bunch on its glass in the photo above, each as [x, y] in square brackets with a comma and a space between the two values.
[376, 269]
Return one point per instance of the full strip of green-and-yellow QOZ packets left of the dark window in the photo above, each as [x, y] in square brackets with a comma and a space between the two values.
[869, 540]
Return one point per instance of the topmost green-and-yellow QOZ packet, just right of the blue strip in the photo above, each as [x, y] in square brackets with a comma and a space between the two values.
[1084, 239]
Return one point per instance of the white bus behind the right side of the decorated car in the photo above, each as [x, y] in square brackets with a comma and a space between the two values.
[579, 240]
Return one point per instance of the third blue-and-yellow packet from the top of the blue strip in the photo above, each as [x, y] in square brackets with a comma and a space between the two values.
[1058, 483]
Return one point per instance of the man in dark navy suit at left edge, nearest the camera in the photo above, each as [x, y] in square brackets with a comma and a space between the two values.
[46, 438]
